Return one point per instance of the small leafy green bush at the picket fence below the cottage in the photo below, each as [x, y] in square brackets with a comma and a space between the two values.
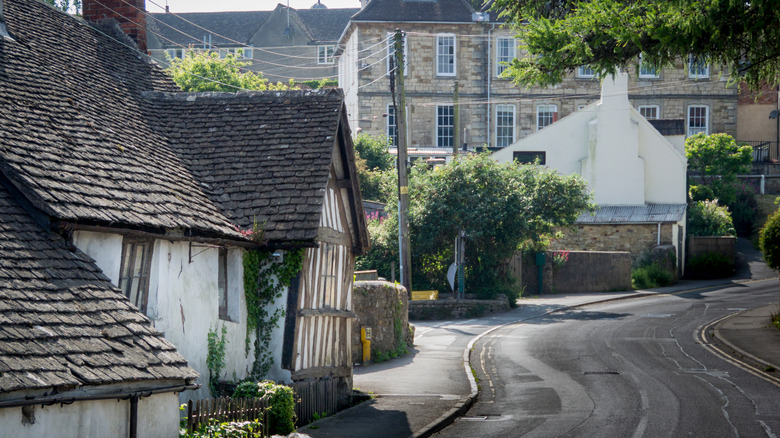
[281, 417]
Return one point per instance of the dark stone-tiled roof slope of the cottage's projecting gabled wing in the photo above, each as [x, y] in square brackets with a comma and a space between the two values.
[263, 156]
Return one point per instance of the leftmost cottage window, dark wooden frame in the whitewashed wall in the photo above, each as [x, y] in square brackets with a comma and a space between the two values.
[134, 271]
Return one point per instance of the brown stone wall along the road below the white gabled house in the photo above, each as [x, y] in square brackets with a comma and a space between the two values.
[585, 271]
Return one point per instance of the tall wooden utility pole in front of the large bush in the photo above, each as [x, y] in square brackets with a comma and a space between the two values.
[404, 250]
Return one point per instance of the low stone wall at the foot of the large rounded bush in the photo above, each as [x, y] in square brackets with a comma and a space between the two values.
[426, 310]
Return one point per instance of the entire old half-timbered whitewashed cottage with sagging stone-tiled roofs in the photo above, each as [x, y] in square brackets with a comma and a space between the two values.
[156, 186]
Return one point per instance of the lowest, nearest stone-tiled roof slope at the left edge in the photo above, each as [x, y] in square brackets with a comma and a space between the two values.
[62, 324]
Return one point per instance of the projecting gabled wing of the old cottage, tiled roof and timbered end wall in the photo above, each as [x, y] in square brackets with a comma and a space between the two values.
[292, 171]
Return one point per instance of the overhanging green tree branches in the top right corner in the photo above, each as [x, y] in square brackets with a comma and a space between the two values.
[561, 35]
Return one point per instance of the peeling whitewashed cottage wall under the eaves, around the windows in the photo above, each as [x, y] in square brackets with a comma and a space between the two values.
[183, 302]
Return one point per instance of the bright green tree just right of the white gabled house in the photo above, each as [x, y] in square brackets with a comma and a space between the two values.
[717, 159]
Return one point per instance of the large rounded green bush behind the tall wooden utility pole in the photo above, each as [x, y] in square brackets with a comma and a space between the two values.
[499, 206]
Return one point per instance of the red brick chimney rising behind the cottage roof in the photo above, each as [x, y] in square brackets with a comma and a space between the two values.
[130, 14]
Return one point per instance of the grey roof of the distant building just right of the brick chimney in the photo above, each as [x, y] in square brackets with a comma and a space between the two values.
[188, 28]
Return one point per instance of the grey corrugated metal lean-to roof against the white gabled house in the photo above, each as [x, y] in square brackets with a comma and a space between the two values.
[623, 214]
